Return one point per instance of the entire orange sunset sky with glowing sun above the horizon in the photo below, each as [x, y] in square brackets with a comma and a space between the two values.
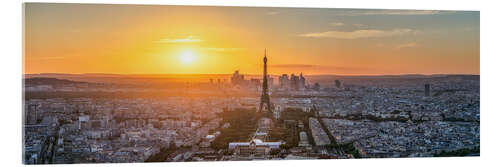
[138, 39]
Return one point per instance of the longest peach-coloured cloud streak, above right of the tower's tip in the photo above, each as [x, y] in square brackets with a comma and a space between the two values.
[369, 33]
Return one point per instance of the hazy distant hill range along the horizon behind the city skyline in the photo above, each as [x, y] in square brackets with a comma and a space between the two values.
[162, 79]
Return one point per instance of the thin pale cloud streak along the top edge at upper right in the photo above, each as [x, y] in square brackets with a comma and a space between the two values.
[392, 12]
